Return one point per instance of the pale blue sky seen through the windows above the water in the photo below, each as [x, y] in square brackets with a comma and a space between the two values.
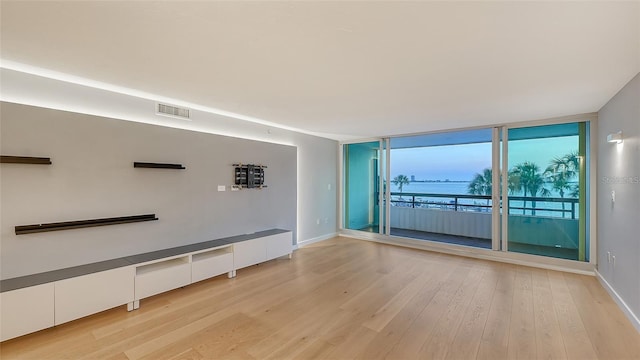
[462, 162]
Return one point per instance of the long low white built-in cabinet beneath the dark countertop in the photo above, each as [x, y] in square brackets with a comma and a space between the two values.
[32, 308]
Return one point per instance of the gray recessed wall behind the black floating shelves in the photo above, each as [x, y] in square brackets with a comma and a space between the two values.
[92, 176]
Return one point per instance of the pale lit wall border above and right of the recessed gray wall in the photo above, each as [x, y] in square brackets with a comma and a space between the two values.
[317, 156]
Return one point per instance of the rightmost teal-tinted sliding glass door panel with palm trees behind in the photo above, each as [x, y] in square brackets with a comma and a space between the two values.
[546, 180]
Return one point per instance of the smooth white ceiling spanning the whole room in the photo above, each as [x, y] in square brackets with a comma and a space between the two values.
[343, 69]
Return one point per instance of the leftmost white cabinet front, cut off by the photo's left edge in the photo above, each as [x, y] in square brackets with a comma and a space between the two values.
[26, 310]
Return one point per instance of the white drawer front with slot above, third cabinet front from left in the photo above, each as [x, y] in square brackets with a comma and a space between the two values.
[162, 276]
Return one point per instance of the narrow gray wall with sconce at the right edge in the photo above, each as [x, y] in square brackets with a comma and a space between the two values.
[619, 171]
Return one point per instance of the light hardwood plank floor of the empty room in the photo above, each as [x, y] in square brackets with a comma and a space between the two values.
[352, 299]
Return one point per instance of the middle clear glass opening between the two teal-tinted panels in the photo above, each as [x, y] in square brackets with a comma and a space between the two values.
[441, 187]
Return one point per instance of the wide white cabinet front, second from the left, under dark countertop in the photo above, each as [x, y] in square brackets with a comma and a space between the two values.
[88, 294]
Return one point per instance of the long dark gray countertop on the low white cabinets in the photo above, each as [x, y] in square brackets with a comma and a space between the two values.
[61, 274]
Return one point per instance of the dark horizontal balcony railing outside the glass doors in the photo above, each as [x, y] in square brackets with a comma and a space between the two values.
[547, 206]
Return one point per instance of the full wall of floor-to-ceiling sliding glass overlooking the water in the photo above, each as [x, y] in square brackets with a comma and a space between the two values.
[514, 189]
